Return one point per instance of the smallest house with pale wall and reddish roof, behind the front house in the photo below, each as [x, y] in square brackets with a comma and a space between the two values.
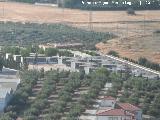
[108, 101]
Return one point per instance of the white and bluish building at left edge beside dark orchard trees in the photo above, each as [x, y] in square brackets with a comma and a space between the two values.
[5, 96]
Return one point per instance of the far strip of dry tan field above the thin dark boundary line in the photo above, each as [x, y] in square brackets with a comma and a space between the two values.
[34, 13]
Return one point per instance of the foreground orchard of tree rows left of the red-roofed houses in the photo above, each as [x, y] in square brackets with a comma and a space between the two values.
[54, 99]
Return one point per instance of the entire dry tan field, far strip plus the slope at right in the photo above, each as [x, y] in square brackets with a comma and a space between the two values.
[135, 39]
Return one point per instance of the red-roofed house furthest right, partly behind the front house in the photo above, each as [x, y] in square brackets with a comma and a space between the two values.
[132, 109]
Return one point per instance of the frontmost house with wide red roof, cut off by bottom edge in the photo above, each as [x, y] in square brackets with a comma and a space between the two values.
[114, 114]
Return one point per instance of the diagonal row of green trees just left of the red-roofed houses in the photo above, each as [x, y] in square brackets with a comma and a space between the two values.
[95, 82]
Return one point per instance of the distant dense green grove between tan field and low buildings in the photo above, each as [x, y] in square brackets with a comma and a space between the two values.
[32, 33]
